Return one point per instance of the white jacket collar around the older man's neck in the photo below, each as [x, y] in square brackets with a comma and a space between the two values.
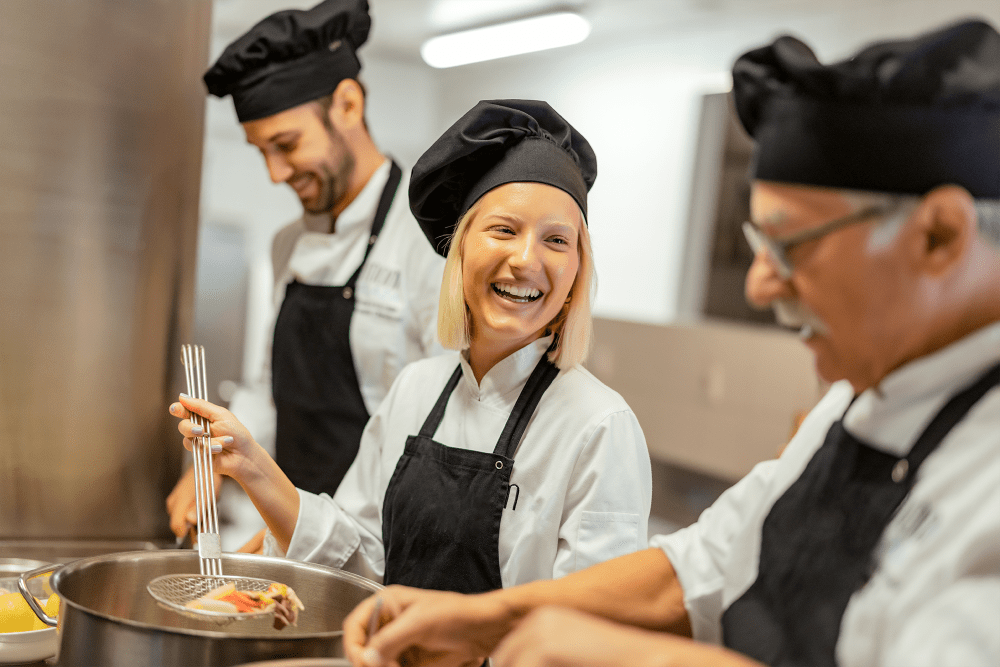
[894, 414]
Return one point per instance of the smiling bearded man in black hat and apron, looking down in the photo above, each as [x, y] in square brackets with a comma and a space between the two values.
[355, 280]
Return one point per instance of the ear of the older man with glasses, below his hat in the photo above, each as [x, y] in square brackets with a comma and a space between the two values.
[945, 225]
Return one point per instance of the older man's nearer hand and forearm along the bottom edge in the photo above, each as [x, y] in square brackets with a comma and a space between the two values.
[557, 637]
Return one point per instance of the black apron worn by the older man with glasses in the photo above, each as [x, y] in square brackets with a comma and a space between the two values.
[819, 538]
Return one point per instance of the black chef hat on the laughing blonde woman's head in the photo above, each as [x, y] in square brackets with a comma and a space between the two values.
[497, 142]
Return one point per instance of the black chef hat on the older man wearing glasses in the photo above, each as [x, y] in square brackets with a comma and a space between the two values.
[900, 116]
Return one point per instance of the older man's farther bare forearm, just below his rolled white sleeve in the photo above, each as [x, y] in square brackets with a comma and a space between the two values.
[639, 589]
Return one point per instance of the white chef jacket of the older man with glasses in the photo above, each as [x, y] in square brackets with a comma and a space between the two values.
[934, 598]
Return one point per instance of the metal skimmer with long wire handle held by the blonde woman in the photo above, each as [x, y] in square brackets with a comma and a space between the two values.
[176, 590]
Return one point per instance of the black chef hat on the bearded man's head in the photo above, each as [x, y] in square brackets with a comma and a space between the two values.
[291, 57]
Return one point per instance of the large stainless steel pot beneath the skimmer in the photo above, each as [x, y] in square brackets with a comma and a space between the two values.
[107, 618]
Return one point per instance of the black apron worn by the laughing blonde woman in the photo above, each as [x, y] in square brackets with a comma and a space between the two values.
[442, 509]
